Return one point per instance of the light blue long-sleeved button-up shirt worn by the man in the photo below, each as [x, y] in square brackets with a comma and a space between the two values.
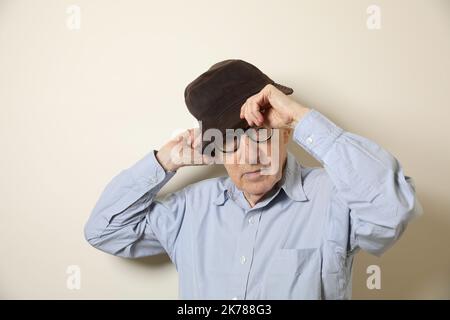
[298, 243]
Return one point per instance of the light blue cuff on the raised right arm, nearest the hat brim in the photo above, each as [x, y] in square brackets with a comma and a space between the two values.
[316, 134]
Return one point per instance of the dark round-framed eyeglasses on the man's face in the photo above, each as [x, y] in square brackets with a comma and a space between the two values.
[231, 141]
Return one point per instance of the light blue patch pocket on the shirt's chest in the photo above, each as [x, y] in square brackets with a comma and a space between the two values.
[294, 274]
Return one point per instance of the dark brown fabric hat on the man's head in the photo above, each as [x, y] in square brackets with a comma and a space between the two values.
[216, 96]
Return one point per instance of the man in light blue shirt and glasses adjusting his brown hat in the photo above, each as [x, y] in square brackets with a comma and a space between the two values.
[273, 229]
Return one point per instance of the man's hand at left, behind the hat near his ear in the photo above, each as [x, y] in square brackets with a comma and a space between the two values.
[183, 150]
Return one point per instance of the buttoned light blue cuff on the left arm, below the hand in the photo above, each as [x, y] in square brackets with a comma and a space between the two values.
[149, 172]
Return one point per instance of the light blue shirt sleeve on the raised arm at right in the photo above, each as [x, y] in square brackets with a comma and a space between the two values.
[368, 181]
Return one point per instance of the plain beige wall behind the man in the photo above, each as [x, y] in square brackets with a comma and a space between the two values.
[76, 107]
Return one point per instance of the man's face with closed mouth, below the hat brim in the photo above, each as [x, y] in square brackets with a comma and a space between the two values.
[246, 173]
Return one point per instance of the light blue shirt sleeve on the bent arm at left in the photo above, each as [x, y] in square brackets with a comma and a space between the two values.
[127, 221]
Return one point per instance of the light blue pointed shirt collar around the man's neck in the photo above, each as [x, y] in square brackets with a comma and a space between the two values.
[291, 183]
